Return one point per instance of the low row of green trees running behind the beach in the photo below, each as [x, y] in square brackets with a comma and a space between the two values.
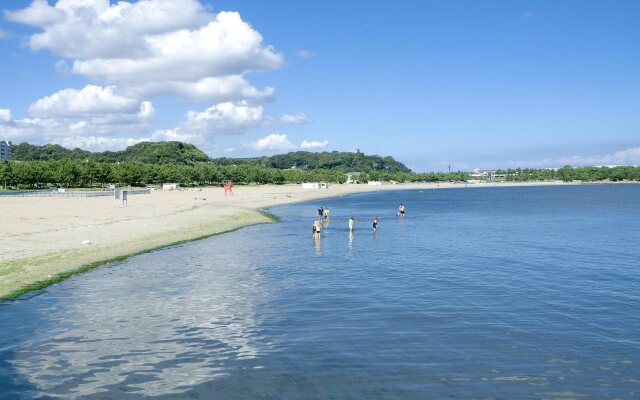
[88, 174]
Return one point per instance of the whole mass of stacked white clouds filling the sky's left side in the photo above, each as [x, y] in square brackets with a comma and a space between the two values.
[132, 51]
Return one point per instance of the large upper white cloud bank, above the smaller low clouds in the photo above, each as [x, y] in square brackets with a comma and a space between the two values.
[195, 54]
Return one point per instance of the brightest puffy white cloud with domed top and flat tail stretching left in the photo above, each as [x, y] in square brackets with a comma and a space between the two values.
[225, 46]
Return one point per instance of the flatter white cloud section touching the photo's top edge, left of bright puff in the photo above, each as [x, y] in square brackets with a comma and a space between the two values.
[86, 29]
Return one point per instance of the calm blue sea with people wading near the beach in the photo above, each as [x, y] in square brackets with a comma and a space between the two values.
[505, 293]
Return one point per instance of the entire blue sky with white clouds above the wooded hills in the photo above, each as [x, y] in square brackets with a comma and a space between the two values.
[467, 83]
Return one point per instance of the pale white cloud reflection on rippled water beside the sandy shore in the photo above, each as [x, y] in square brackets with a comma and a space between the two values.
[161, 329]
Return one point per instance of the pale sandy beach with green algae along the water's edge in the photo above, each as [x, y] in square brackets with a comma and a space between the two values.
[51, 239]
